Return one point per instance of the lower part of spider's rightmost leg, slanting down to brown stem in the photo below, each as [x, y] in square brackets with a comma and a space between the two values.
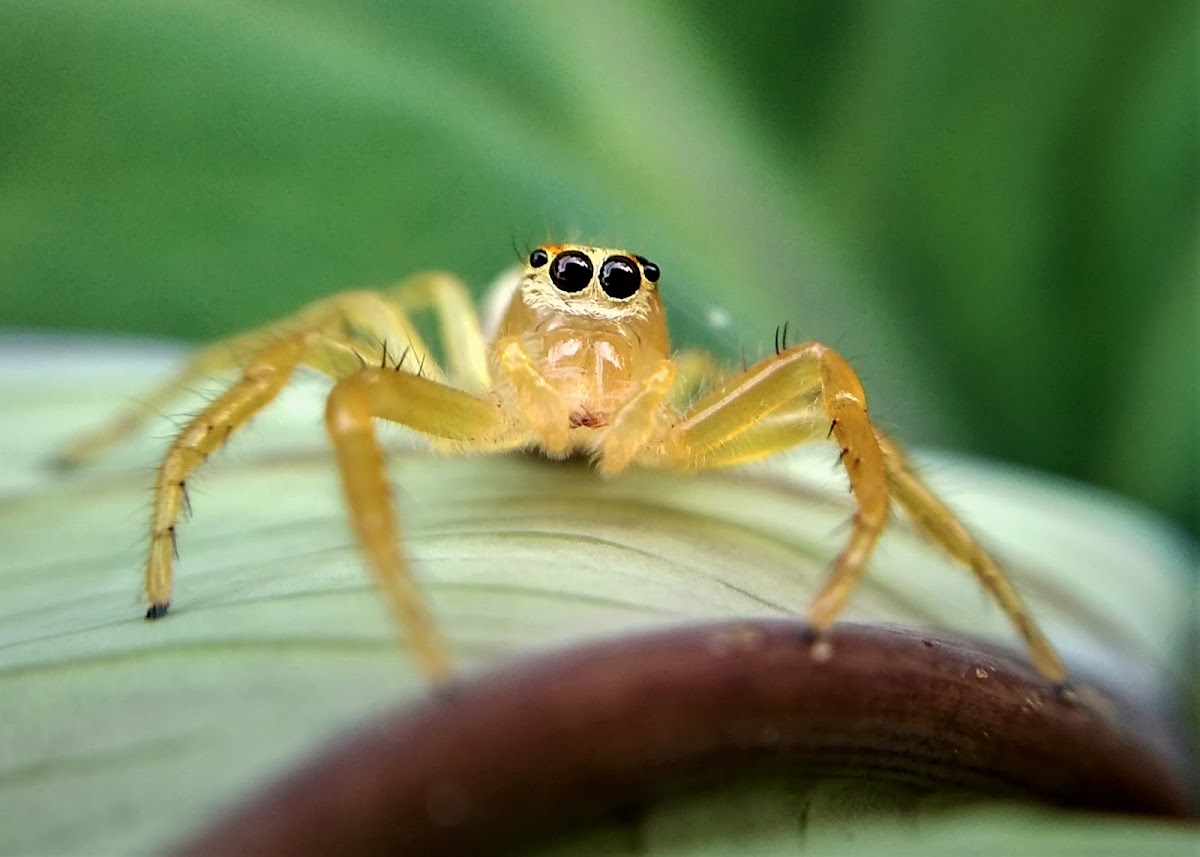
[940, 526]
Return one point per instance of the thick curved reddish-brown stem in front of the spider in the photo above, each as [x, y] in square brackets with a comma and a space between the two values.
[511, 758]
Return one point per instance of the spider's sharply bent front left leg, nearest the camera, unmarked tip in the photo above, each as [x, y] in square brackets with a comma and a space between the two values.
[461, 418]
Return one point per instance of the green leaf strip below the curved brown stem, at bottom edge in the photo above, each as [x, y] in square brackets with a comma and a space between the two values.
[850, 820]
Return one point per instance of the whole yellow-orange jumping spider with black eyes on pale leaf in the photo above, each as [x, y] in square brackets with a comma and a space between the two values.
[580, 363]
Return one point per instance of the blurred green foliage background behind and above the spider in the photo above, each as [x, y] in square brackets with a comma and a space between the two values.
[989, 207]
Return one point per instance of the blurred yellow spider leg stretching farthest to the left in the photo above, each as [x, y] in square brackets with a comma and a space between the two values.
[367, 317]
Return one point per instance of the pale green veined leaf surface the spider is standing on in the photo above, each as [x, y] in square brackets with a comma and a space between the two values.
[119, 735]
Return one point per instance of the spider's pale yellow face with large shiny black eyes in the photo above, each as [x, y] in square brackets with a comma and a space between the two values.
[595, 283]
